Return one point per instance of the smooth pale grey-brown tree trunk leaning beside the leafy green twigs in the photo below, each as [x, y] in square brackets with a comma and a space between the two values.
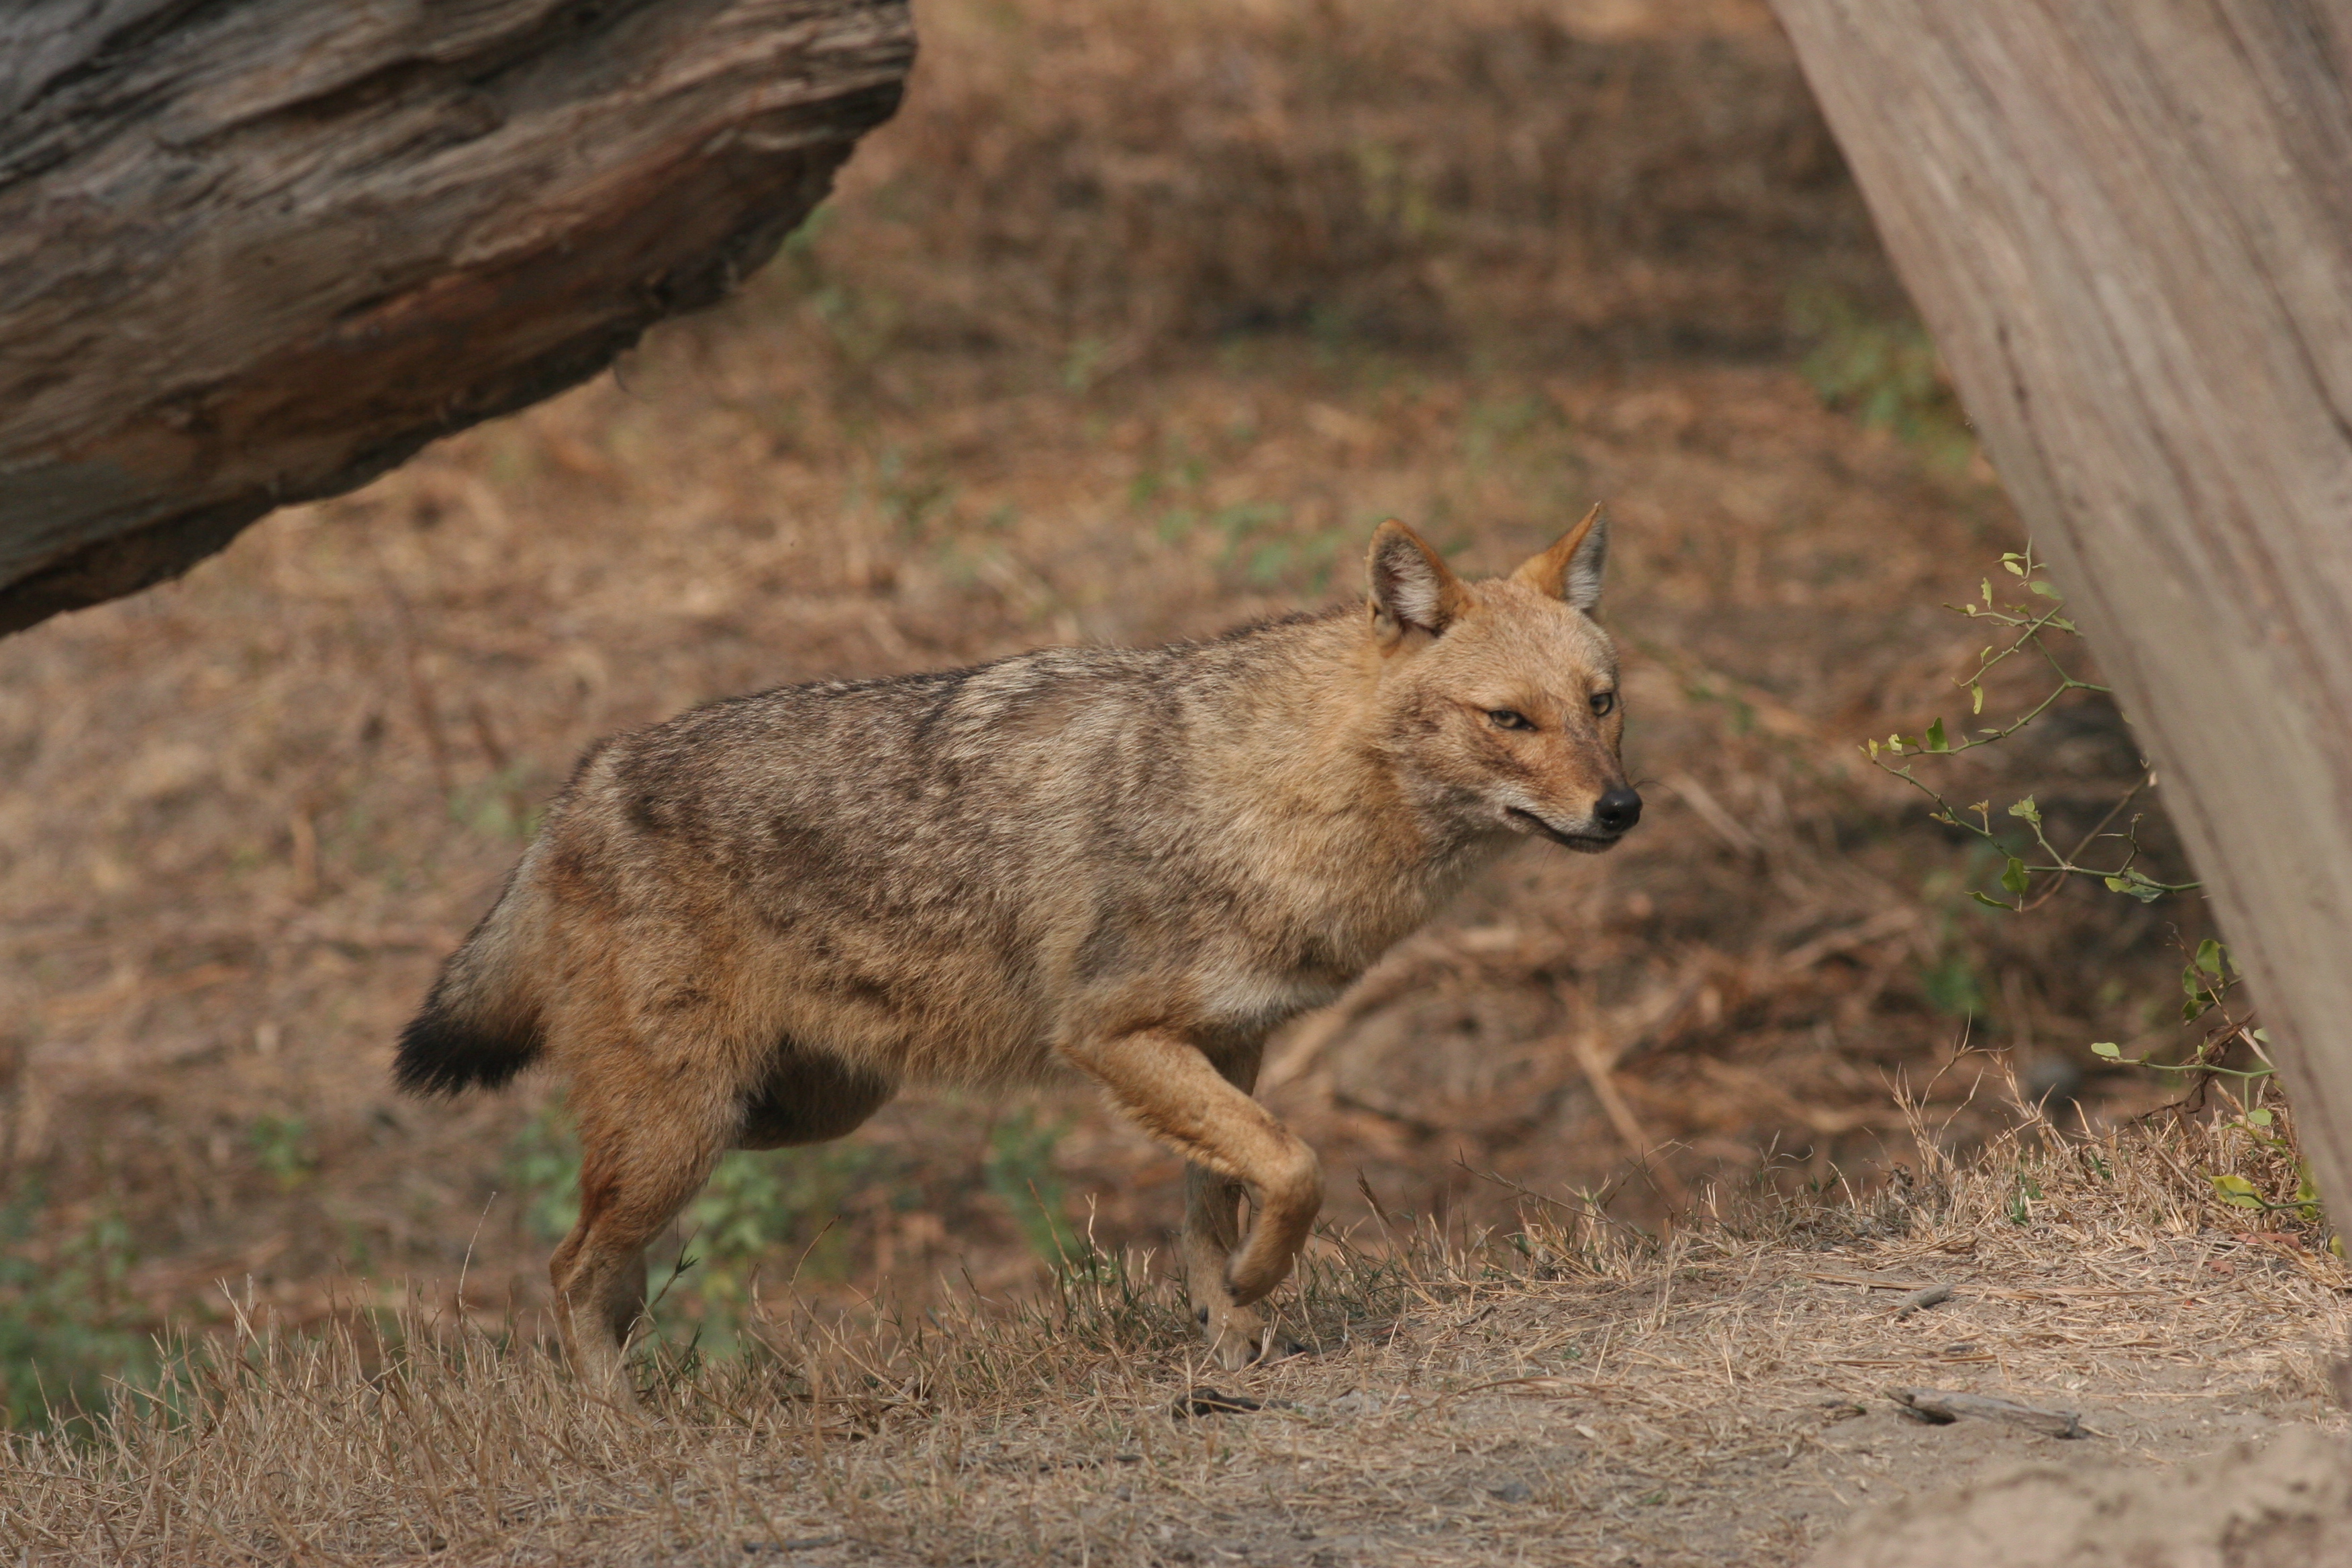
[2130, 227]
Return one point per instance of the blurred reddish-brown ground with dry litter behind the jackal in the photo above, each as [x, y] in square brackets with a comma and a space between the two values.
[1132, 326]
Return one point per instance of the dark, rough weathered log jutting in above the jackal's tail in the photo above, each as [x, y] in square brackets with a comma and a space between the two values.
[262, 250]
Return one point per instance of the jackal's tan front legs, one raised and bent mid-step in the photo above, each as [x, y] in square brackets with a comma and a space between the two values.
[1236, 1146]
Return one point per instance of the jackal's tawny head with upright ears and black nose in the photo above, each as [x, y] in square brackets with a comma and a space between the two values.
[1499, 699]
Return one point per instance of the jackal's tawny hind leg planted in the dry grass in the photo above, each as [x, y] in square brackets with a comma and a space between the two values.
[646, 1151]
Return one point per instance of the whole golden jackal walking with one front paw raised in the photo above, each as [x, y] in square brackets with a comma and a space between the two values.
[751, 925]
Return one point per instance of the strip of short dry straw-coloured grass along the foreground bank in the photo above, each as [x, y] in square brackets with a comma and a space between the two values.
[1568, 1393]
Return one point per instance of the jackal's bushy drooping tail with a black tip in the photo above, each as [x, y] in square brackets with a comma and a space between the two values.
[481, 1024]
